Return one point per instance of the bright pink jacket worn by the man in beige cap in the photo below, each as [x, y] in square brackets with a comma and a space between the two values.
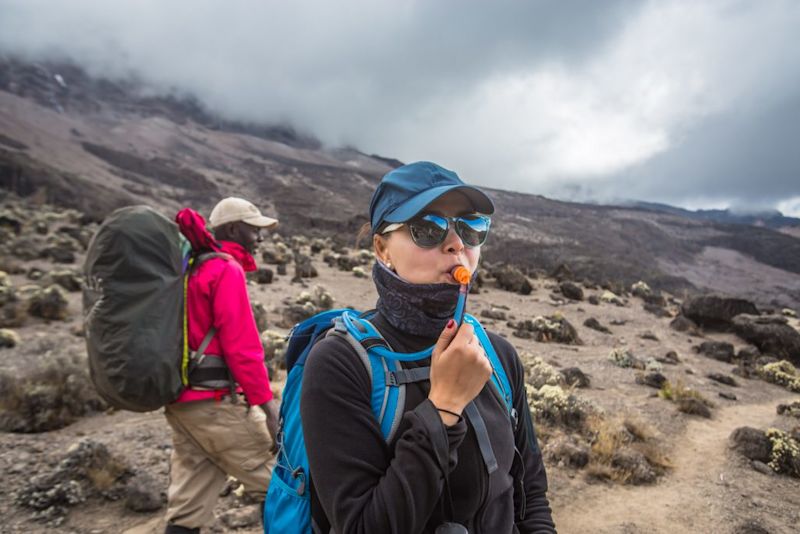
[217, 295]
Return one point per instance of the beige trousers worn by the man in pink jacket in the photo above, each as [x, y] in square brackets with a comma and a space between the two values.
[211, 440]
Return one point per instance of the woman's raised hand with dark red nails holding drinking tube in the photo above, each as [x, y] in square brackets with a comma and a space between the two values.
[459, 370]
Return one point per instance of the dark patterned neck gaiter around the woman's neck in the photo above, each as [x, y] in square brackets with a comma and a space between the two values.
[418, 309]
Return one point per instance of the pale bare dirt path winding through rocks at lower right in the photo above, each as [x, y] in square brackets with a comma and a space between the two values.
[689, 499]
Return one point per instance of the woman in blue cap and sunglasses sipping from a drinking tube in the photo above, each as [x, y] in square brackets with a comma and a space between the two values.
[458, 462]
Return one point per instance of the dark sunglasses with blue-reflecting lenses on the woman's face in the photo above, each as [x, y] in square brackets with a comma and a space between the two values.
[429, 230]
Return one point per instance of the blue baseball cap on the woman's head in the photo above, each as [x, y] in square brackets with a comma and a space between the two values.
[405, 191]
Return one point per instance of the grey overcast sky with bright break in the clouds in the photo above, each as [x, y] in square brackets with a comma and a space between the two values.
[689, 102]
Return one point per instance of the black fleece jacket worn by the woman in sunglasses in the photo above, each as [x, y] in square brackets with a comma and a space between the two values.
[361, 484]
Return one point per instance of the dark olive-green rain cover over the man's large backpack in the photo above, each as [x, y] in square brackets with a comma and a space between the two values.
[133, 305]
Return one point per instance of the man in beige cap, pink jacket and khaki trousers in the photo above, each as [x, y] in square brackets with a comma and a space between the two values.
[226, 421]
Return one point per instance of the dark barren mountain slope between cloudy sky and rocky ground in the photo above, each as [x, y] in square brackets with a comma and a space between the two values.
[69, 139]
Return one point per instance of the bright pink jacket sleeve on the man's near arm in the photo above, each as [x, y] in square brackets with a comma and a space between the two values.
[238, 336]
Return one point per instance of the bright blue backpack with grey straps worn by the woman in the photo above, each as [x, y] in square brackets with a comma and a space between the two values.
[287, 508]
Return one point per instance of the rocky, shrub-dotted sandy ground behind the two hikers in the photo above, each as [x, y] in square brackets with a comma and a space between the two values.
[637, 412]
